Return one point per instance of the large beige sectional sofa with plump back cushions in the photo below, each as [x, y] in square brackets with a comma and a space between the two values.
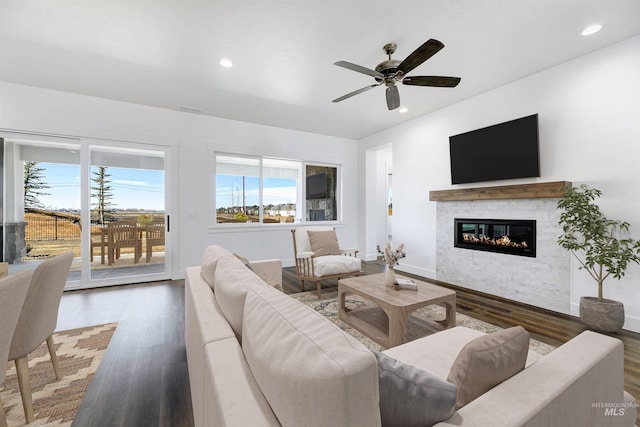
[258, 357]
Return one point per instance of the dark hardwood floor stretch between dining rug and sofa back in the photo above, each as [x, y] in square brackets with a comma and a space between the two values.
[142, 379]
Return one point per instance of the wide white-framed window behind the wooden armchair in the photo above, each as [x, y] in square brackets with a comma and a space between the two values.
[268, 190]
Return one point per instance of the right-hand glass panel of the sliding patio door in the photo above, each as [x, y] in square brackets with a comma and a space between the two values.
[129, 222]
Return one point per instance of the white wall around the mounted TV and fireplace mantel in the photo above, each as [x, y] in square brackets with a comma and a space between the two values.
[589, 133]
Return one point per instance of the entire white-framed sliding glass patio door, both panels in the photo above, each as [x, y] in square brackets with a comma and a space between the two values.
[105, 202]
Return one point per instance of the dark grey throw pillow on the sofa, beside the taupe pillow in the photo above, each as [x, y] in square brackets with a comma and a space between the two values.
[410, 396]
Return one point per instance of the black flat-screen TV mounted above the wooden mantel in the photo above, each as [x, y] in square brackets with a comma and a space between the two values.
[507, 150]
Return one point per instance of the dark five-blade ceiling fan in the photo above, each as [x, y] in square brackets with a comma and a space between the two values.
[392, 71]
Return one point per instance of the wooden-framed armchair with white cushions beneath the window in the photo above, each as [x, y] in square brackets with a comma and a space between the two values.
[315, 268]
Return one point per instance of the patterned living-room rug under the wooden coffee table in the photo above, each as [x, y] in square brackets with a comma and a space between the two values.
[328, 306]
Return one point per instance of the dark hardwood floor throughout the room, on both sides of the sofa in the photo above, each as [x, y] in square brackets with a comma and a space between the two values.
[143, 377]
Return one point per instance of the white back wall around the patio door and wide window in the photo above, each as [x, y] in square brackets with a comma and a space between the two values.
[30, 109]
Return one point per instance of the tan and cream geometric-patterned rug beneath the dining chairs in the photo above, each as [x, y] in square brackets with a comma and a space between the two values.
[55, 403]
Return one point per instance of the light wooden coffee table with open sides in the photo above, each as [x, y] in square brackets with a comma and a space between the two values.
[390, 323]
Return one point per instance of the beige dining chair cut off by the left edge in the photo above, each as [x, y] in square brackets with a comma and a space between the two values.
[13, 290]
